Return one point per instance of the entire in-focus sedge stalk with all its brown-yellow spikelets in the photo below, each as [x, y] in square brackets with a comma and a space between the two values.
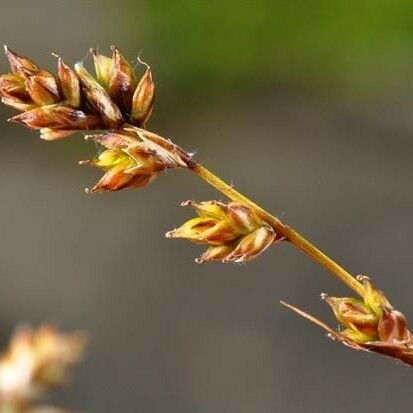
[113, 106]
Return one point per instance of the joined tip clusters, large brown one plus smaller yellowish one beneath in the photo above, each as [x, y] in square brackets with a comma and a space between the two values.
[113, 101]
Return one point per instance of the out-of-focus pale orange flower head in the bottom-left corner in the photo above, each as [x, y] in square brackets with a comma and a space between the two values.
[36, 362]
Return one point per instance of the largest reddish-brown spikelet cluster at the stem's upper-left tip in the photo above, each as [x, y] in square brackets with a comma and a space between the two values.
[74, 100]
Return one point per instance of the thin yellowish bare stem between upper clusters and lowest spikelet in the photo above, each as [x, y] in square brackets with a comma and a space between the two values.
[280, 228]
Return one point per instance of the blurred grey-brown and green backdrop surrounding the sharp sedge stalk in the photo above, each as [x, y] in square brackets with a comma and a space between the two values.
[306, 106]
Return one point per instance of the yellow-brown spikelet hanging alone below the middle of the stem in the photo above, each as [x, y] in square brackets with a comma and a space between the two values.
[233, 231]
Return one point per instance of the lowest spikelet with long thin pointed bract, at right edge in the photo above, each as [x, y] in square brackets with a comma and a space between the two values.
[371, 324]
